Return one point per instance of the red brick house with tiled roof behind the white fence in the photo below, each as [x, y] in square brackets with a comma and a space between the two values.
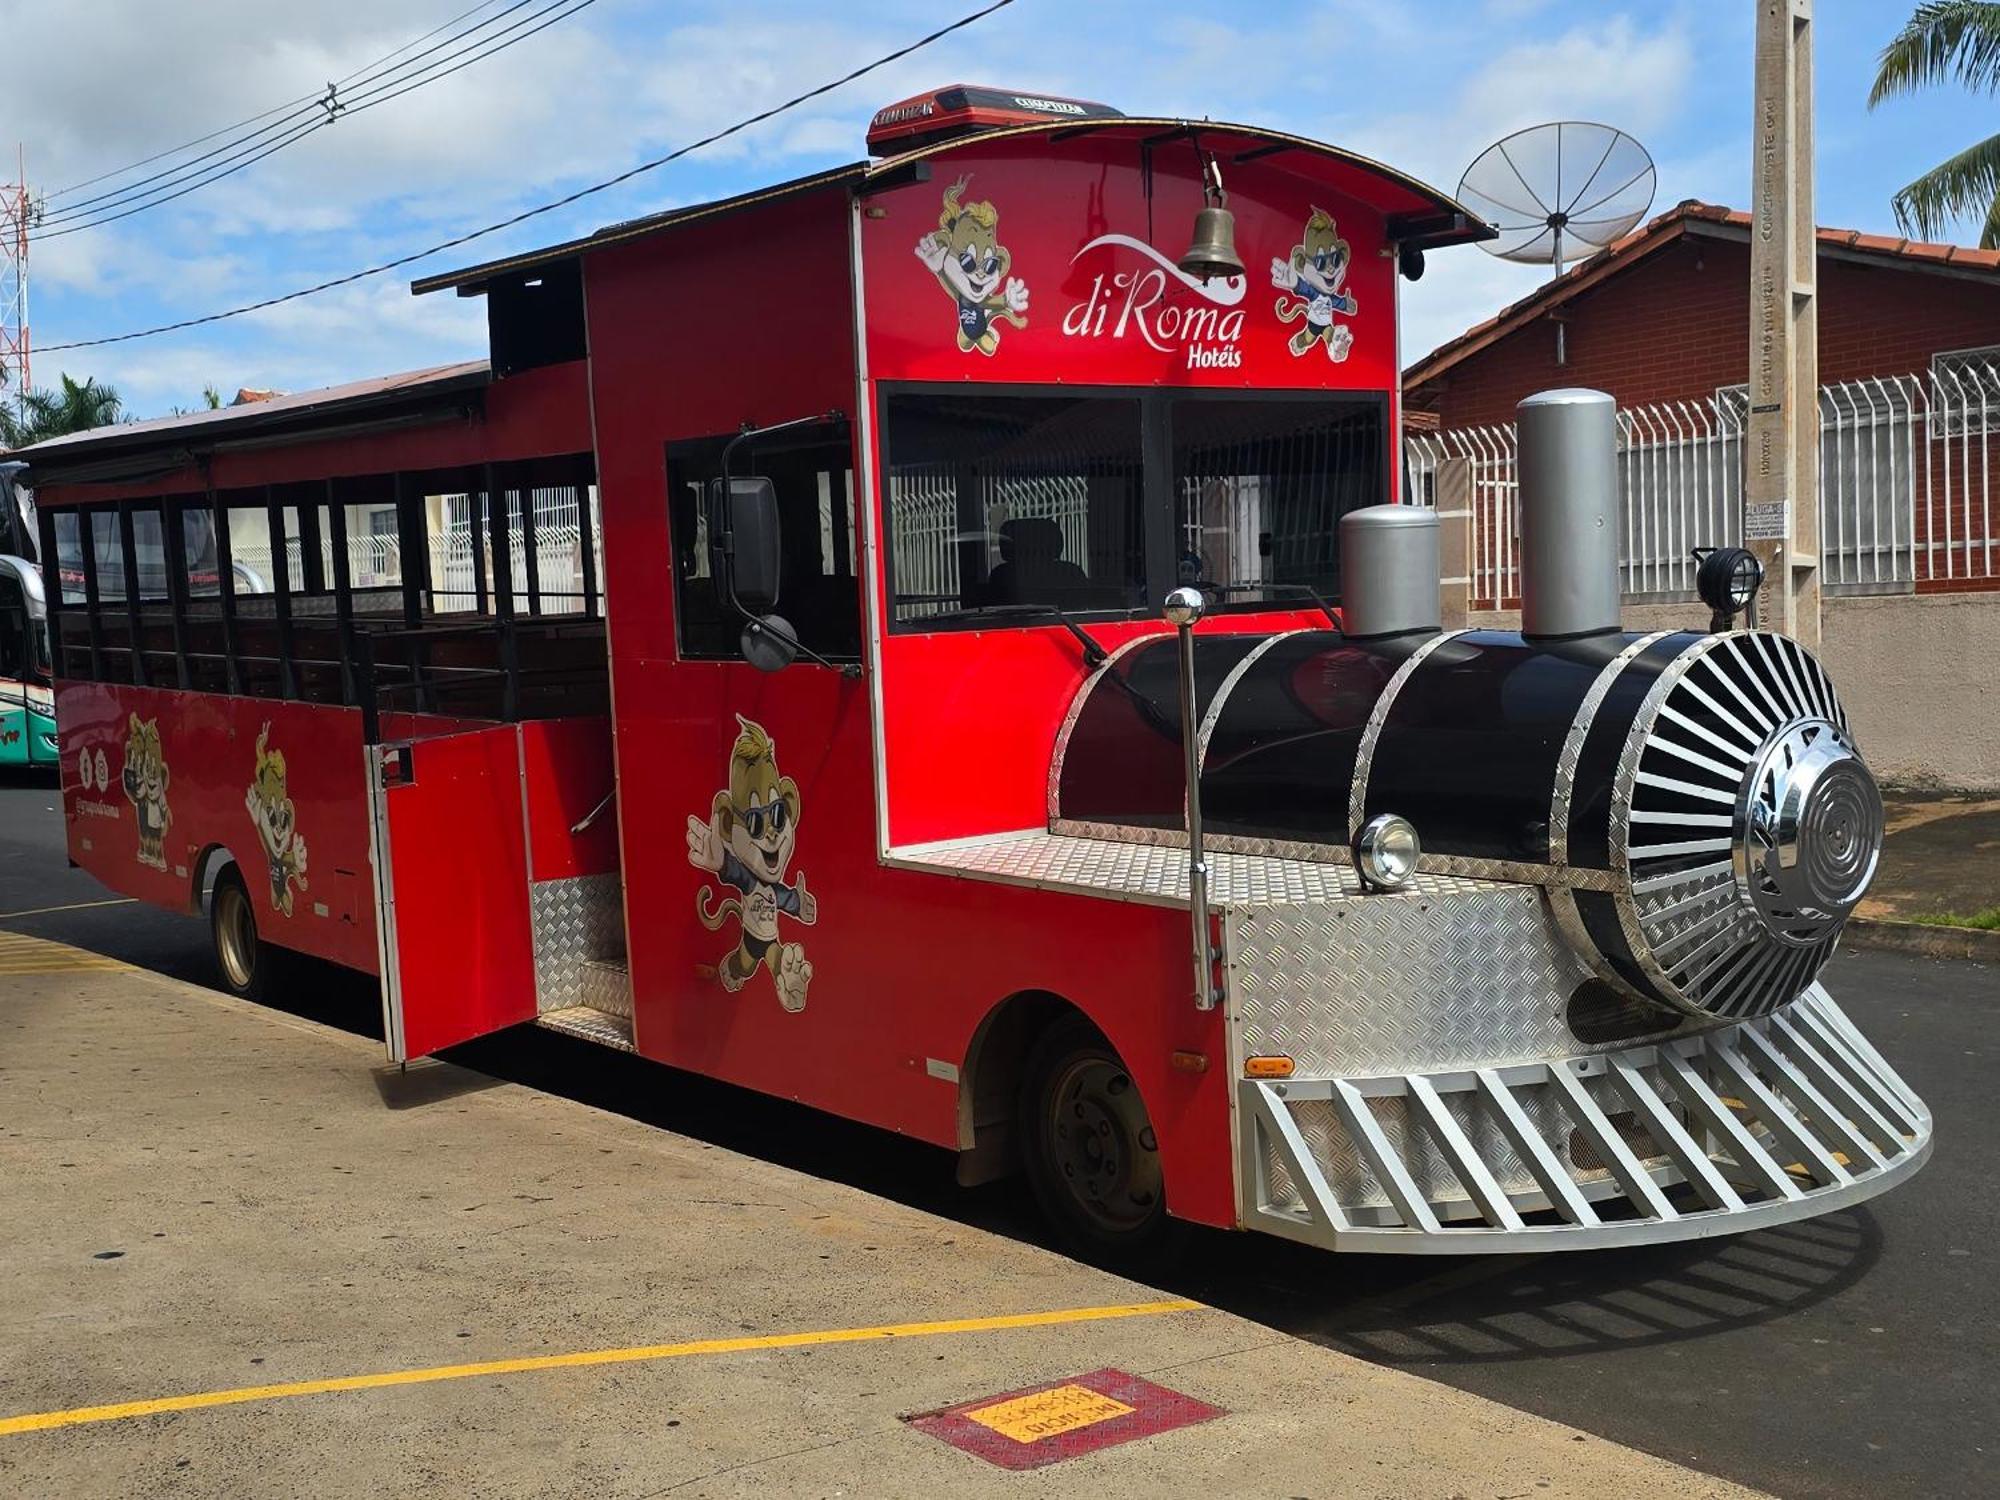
[1909, 397]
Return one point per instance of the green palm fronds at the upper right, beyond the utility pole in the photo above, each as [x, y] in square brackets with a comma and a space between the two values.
[1949, 41]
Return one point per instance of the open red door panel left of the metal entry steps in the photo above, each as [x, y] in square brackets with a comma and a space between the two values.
[465, 957]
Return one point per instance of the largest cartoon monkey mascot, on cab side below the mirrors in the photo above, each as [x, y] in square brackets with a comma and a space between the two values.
[749, 843]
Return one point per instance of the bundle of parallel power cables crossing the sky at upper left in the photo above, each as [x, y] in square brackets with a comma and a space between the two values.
[325, 111]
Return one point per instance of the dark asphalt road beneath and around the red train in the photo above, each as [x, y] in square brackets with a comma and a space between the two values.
[1857, 1355]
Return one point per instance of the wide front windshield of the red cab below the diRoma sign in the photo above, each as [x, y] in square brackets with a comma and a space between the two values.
[1097, 505]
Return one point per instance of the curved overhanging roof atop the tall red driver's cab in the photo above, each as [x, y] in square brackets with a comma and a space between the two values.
[1429, 217]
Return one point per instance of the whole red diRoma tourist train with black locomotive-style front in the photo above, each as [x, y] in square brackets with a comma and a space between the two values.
[909, 643]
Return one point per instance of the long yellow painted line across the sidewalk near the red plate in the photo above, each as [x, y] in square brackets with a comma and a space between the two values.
[119, 1411]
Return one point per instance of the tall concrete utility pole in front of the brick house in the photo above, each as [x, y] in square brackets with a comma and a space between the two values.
[1783, 439]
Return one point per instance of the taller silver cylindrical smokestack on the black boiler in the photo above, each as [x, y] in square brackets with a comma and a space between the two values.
[1569, 513]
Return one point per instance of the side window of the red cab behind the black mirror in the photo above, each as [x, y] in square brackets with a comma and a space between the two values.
[819, 589]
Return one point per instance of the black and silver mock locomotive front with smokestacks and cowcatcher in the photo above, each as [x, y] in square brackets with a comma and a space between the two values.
[1589, 1011]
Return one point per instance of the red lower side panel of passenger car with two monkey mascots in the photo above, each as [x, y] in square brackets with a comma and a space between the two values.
[225, 761]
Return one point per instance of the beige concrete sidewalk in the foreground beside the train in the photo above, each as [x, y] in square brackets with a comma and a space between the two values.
[205, 1197]
